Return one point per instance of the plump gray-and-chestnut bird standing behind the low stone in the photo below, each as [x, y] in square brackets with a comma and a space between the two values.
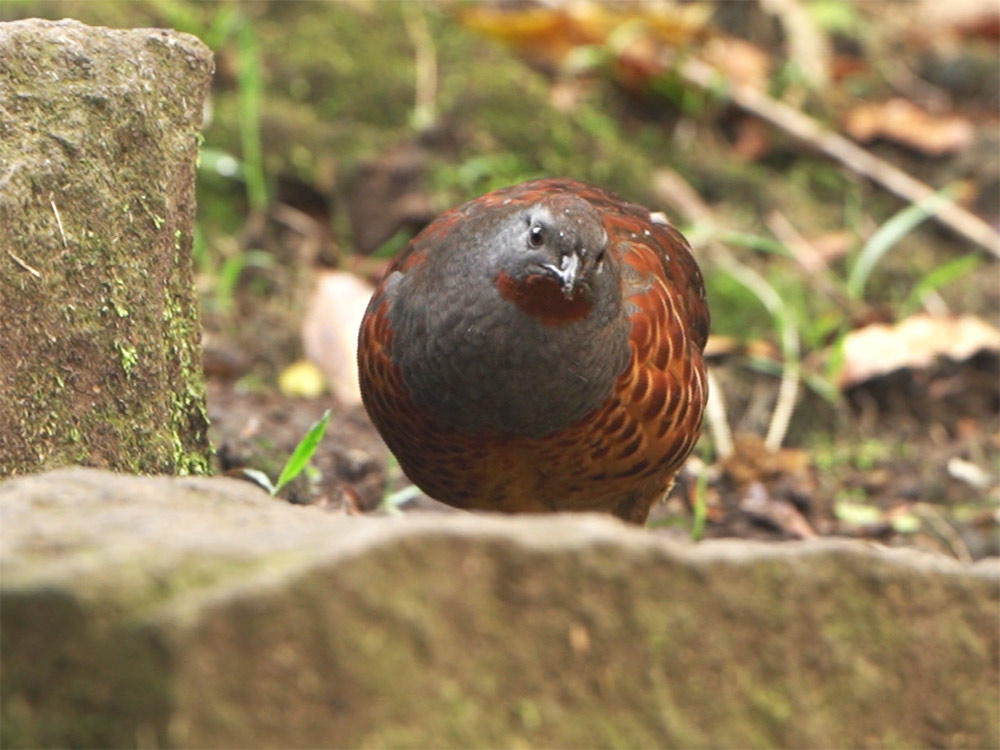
[540, 349]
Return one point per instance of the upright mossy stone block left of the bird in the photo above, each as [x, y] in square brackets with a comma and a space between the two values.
[100, 358]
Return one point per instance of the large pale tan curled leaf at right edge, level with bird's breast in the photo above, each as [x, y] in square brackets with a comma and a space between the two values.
[913, 344]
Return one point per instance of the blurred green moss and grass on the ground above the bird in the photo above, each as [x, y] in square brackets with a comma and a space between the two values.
[309, 91]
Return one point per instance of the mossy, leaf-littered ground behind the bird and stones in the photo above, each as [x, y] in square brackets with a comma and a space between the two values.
[337, 130]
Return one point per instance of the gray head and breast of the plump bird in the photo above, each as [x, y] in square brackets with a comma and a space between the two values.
[476, 360]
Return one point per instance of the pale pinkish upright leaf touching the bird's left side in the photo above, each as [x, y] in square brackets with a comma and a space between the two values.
[330, 330]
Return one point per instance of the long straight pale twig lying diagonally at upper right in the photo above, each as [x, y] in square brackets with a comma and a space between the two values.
[848, 153]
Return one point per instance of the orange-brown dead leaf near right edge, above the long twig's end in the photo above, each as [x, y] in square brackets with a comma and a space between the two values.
[903, 122]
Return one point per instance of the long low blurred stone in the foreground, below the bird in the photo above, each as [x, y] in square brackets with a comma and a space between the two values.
[200, 612]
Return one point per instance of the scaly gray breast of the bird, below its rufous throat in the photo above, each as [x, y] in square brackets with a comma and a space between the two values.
[480, 365]
